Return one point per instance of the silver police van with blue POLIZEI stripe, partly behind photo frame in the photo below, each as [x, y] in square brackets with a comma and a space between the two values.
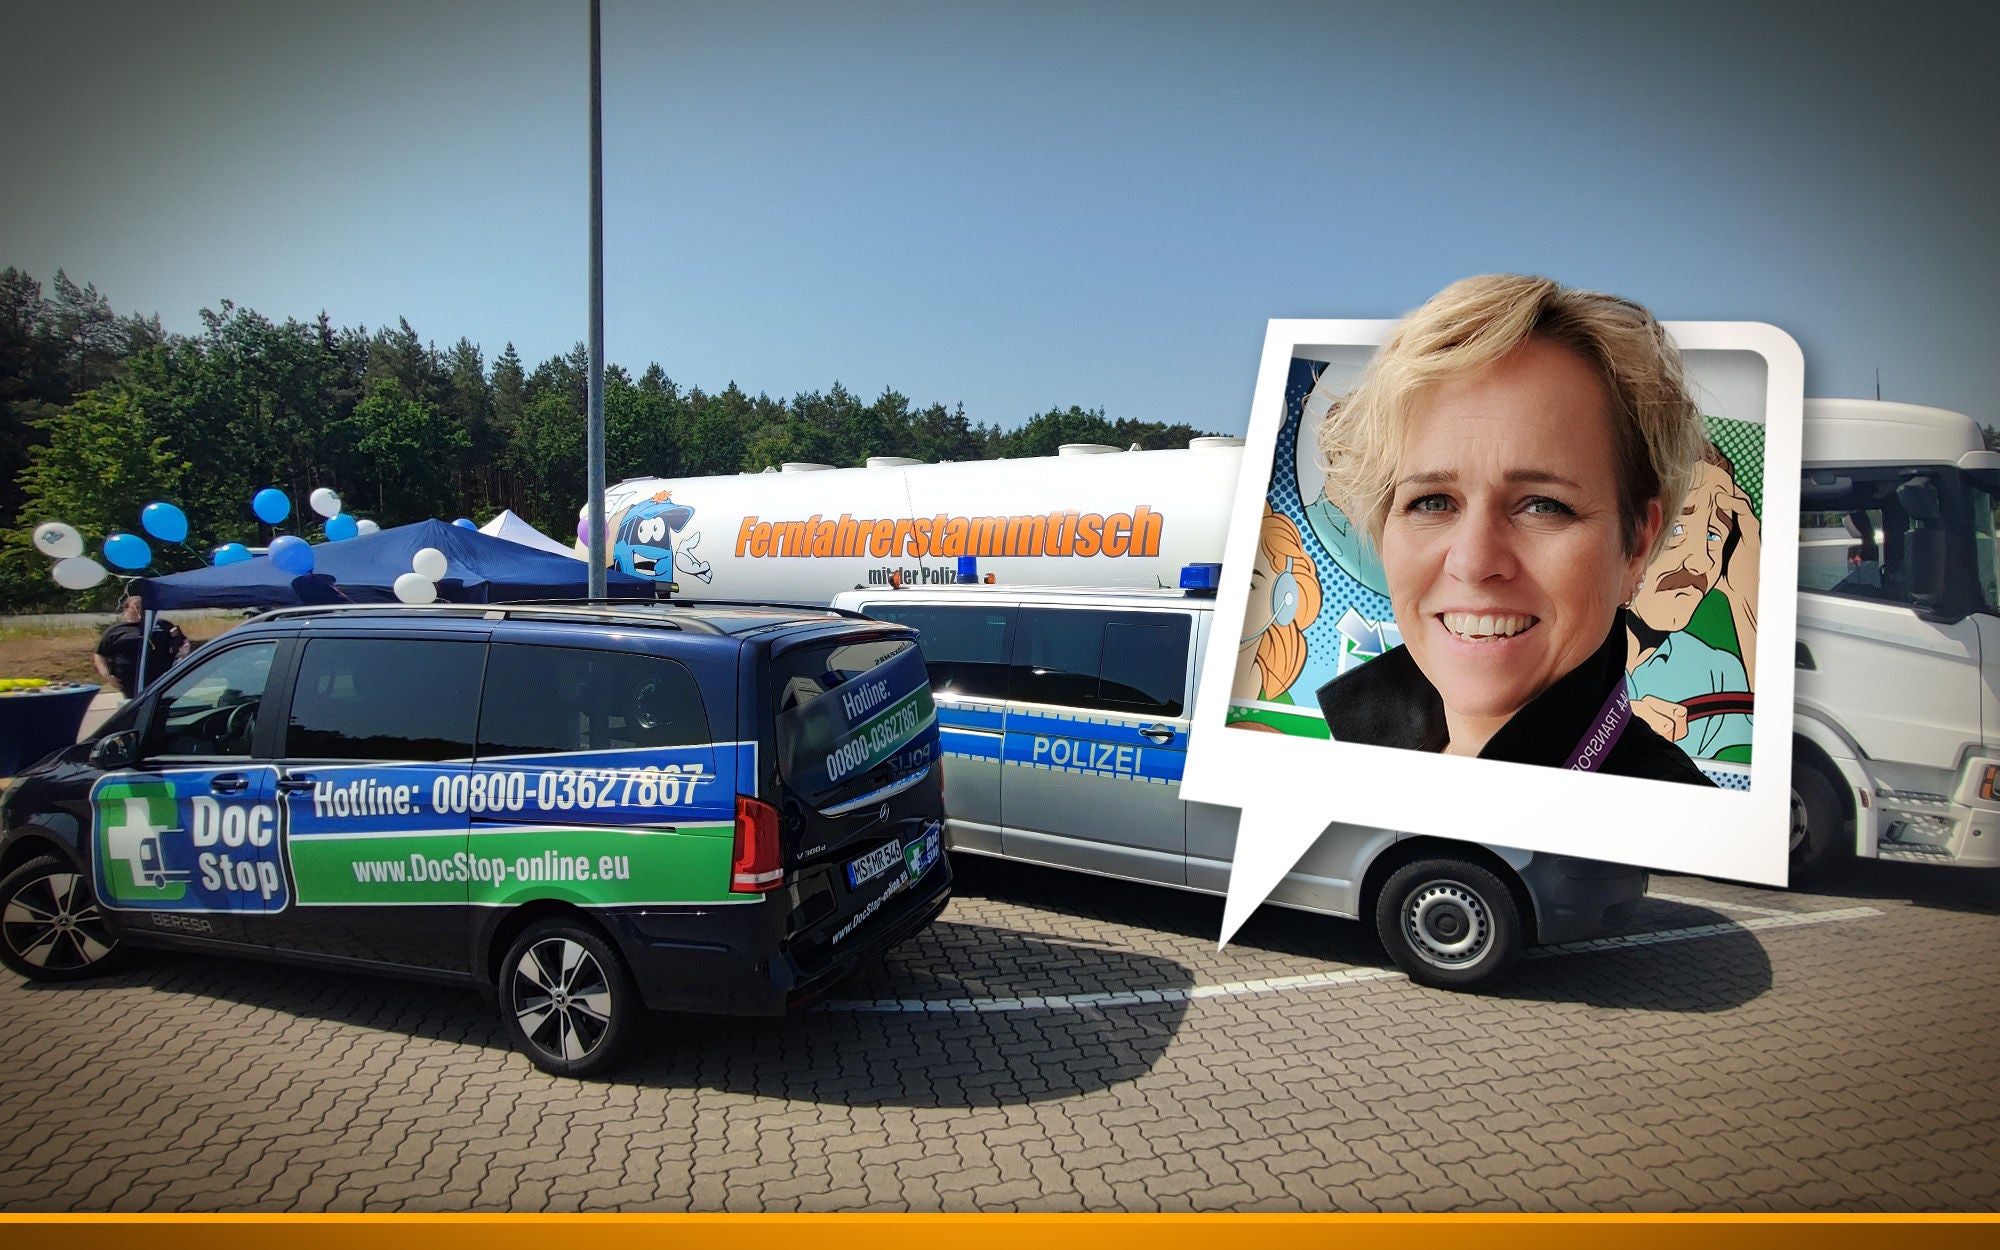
[1065, 715]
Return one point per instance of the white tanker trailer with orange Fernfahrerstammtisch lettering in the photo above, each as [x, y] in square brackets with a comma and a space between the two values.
[1087, 517]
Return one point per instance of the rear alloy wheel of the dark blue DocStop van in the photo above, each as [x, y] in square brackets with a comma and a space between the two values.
[567, 999]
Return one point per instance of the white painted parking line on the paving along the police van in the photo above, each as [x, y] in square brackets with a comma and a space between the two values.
[1315, 981]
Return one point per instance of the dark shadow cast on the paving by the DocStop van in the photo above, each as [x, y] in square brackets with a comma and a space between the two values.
[845, 1057]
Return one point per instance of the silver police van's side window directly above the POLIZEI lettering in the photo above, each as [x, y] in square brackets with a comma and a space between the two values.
[1133, 663]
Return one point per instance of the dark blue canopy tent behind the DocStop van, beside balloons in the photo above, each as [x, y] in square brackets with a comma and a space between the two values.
[363, 571]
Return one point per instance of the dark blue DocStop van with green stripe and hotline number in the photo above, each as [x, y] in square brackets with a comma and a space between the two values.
[587, 811]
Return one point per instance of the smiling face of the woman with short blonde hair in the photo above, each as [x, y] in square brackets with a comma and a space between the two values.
[1503, 541]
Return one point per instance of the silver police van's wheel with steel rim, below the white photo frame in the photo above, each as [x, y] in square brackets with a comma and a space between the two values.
[1449, 923]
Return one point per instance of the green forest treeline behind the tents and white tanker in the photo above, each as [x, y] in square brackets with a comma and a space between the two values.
[105, 413]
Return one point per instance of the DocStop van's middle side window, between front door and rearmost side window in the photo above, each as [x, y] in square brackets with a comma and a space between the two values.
[387, 699]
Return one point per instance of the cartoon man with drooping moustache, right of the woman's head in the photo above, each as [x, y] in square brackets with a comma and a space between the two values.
[1689, 691]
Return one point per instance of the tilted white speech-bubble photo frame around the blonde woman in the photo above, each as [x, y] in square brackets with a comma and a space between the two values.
[1293, 787]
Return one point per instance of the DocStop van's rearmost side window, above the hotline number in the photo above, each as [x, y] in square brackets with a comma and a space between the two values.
[559, 699]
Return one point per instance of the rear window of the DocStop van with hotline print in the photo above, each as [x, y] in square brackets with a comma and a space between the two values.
[853, 719]
